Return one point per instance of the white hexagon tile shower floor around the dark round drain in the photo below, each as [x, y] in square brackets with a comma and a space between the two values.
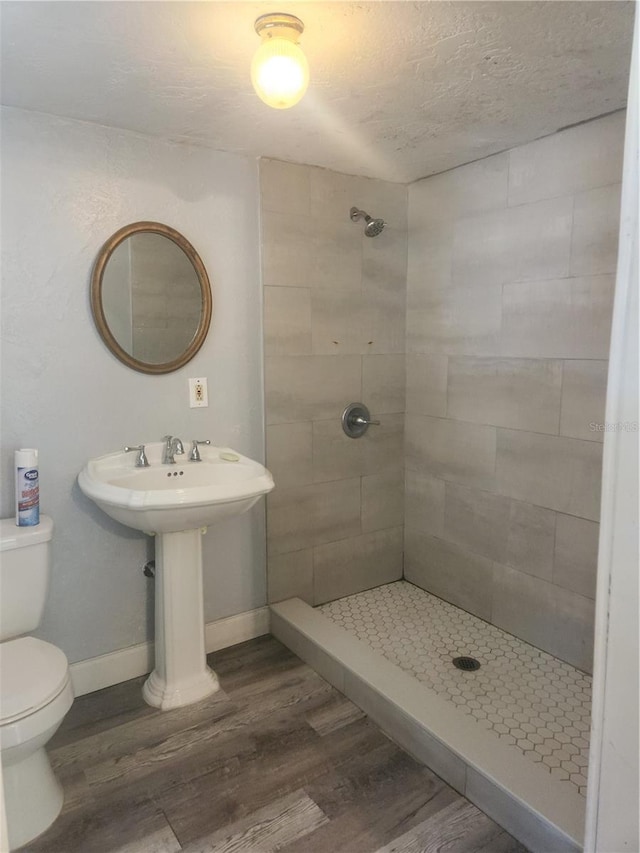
[531, 700]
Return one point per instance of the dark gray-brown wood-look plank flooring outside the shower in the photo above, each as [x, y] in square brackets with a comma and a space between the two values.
[276, 760]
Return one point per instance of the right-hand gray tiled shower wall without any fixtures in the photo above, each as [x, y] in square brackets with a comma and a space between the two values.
[510, 290]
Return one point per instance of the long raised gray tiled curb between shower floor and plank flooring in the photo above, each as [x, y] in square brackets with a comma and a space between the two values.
[542, 813]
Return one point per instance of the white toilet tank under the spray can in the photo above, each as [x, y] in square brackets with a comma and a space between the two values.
[25, 561]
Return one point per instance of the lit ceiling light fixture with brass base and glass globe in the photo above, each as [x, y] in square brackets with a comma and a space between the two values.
[279, 69]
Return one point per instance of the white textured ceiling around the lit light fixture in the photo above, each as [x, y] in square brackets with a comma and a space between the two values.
[399, 90]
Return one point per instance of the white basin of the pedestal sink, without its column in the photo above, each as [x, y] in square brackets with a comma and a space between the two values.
[171, 498]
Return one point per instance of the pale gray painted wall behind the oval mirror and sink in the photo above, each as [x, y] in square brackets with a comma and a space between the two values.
[66, 187]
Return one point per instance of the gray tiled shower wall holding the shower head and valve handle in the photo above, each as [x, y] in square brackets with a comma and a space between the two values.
[334, 327]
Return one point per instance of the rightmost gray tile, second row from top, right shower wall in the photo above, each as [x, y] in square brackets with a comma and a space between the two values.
[594, 243]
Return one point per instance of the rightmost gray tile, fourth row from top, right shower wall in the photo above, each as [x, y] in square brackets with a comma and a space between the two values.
[584, 391]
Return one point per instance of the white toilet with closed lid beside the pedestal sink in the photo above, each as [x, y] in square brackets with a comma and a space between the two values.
[35, 685]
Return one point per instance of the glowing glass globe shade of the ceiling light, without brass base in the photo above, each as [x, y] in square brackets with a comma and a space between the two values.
[280, 72]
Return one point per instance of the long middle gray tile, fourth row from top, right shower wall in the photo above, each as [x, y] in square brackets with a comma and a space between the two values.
[507, 392]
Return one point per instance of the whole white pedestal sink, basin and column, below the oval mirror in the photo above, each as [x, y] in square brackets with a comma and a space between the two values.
[176, 503]
